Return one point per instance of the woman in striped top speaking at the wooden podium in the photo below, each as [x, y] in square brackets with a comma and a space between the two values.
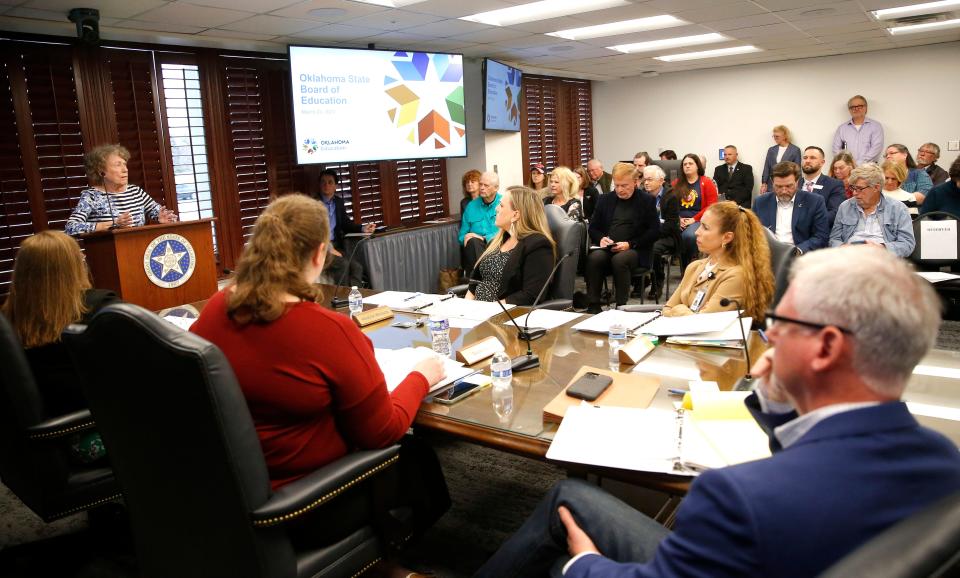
[111, 201]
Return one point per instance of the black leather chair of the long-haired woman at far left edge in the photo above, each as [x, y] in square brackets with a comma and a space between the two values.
[33, 458]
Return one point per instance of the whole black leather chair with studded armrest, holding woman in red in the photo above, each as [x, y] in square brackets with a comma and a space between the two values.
[191, 468]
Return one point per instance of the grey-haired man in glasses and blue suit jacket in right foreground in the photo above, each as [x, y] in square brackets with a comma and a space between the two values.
[849, 459]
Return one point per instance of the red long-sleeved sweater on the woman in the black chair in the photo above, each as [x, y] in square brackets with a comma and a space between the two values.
[313, 386]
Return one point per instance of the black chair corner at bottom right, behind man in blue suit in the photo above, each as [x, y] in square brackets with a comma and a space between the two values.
[925, 545]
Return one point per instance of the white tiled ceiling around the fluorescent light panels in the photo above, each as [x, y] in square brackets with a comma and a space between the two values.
[784, 29]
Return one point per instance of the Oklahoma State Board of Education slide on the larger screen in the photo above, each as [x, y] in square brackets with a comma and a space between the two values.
[360, 105]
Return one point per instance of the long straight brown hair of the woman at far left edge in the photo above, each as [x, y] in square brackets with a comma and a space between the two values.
[47, 290]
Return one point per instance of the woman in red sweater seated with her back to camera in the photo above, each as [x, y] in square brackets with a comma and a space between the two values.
[309, 375]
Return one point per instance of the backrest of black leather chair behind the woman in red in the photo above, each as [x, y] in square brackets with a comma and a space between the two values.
[183, 445]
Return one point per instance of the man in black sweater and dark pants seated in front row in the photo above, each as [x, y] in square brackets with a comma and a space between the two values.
[624, 227]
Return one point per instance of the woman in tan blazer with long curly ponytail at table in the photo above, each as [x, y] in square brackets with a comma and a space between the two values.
[736, 267]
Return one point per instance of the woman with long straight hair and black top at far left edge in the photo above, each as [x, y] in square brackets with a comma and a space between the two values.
[50, 290]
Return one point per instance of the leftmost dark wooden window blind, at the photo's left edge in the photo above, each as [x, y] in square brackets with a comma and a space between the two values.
[16, 220]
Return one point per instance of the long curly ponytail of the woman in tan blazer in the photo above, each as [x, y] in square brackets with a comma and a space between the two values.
[750, 250]
